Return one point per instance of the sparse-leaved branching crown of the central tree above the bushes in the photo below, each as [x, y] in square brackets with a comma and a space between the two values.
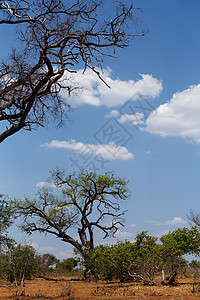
[88, 201]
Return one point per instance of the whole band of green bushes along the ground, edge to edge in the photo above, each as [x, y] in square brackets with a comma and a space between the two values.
[146, 260]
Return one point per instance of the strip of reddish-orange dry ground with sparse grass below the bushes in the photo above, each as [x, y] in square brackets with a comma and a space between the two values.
[43, 289]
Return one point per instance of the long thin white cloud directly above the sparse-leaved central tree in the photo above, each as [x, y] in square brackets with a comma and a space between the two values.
[108, 151]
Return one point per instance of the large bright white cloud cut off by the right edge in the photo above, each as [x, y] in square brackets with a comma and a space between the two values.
[178, 117]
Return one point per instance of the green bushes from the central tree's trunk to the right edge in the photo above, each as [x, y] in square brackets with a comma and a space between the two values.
[145, 259]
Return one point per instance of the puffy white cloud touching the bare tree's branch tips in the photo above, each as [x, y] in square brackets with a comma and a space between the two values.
[95, 92]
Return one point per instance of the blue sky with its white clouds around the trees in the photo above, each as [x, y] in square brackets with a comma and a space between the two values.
[145, 128]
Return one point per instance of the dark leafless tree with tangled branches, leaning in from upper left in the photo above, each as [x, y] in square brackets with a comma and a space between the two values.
[56, 38]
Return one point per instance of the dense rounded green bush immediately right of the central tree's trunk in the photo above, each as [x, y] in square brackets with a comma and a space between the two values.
[126, 261]
